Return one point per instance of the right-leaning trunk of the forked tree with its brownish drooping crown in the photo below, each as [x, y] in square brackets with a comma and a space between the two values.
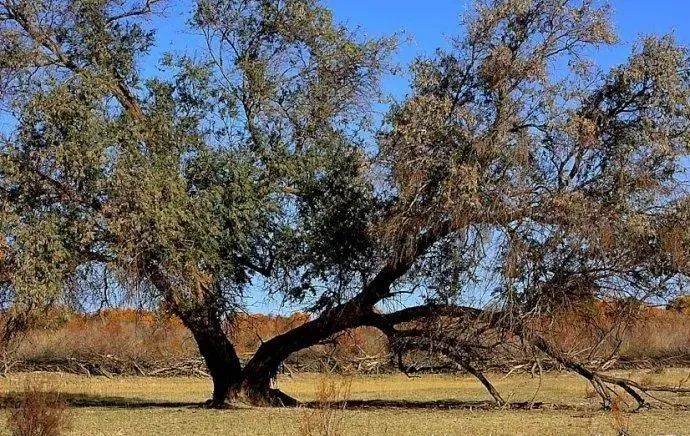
[555, 188]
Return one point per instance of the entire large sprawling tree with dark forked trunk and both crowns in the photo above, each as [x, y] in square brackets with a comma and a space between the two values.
[513, 166]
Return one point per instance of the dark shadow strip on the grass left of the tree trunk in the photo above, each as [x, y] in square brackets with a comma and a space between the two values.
[106, 401]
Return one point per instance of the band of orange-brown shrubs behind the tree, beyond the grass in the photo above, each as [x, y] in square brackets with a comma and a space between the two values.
[152, 340]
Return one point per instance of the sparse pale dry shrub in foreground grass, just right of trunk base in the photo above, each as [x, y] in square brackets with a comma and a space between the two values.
[327, 417]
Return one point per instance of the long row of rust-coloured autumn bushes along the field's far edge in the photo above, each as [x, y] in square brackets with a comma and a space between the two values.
[133, 342]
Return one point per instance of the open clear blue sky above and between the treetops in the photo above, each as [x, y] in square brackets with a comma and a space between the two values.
[430, 22]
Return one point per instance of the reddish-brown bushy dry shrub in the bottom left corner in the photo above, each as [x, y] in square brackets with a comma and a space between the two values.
[39, 413]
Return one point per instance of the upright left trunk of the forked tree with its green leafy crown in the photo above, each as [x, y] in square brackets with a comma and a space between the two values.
[175, 185]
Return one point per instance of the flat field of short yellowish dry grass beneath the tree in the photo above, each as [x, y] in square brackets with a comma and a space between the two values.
[428, 405]
